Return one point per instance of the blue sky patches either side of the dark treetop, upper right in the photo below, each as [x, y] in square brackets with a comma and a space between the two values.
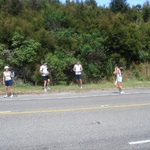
[130, 2]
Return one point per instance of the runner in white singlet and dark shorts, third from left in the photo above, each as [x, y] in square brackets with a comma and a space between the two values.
[78, 75]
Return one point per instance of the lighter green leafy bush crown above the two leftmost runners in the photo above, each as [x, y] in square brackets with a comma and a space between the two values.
[23, 50]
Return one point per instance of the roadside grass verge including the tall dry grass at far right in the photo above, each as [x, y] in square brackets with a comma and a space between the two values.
[138, 76]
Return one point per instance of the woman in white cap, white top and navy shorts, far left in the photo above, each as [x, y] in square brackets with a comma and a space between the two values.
[7, 81]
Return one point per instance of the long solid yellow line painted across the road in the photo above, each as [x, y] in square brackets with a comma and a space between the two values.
[74, 109]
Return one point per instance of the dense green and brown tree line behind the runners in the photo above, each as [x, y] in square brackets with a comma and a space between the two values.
[32, 31]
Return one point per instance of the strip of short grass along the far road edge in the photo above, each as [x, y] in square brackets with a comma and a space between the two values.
[28, 89]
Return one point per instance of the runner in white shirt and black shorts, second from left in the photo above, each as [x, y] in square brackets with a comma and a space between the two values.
[44, 72]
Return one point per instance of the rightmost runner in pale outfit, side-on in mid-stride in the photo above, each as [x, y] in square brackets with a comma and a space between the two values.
[118, 81]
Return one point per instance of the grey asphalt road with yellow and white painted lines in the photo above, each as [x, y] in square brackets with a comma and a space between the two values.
[93, 120]
